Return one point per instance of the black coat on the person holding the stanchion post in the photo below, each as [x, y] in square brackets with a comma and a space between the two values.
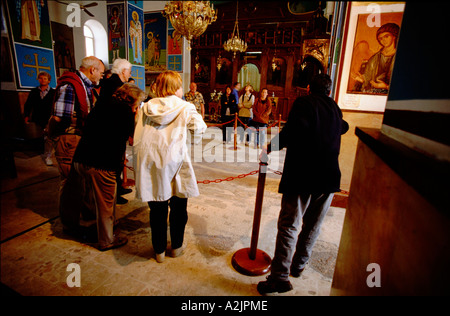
[312, 137]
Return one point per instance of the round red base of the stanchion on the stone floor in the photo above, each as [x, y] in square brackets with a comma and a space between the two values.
[243, 264]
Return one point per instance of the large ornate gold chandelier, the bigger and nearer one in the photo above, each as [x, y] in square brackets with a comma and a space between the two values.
[190, 18]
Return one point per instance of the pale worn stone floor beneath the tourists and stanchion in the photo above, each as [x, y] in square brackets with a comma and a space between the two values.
[35, 253]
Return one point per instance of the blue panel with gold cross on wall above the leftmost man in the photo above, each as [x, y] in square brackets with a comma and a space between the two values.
[30, 62]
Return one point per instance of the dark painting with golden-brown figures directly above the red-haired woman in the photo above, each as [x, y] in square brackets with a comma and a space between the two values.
[155, 34]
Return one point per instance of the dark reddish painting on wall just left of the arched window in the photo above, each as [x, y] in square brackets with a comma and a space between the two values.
[63, 47]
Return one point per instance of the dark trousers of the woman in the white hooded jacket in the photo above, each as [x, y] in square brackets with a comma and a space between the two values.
[177, 220]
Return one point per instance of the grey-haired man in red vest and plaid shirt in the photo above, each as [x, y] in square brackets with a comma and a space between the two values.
[73, 101]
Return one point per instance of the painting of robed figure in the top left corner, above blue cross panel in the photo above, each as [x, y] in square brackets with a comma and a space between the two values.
[30, 23]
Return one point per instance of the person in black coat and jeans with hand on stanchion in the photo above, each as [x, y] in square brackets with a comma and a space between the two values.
[311, 176]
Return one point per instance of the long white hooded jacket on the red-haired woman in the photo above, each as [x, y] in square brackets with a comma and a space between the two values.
[162, 164]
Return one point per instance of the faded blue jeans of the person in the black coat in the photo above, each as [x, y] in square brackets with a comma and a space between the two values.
[293, 248]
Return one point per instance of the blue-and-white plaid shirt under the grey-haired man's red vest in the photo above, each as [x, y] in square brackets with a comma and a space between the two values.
[65, 98]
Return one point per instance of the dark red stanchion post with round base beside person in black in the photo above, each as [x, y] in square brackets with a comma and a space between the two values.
[252, 261]
